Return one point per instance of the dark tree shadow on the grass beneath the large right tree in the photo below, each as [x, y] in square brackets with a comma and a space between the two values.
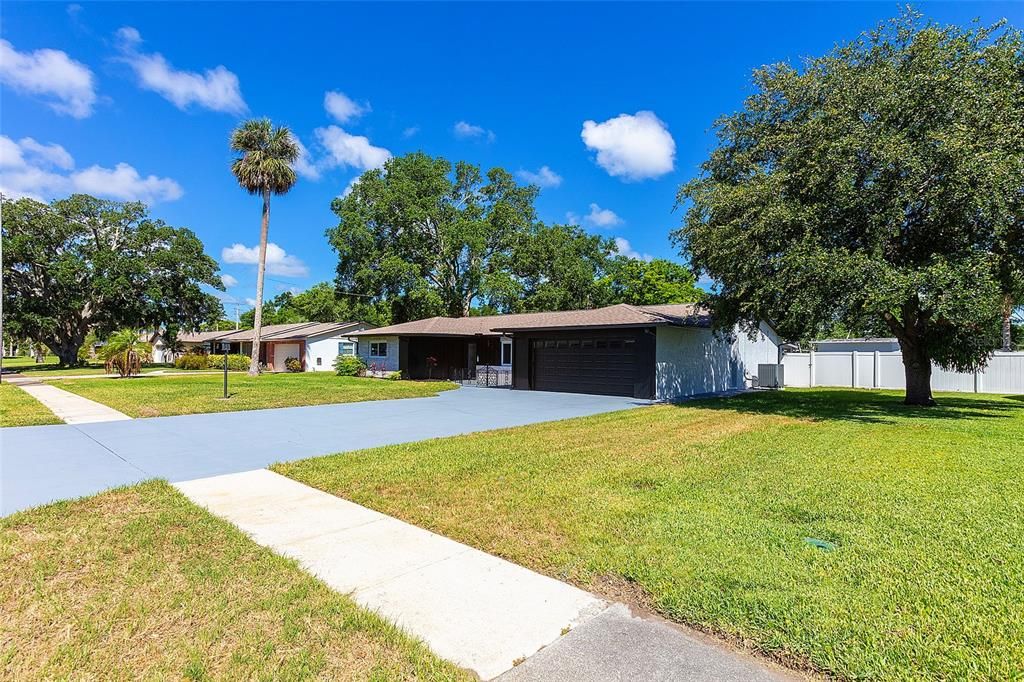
[864, 406]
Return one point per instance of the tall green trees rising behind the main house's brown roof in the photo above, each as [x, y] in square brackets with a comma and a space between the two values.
[423, 237]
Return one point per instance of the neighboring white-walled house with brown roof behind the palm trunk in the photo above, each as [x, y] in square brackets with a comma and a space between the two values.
[315, 345]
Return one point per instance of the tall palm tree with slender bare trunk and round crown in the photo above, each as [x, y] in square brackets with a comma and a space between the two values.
[264, 167]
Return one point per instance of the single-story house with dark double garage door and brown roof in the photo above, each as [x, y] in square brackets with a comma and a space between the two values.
[645, 352]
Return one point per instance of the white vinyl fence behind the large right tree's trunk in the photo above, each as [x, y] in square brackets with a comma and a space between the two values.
[1005, 373]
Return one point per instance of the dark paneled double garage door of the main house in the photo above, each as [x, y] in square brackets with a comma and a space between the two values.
[606, 366]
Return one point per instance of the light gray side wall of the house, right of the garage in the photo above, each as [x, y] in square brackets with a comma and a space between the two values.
[691, 361]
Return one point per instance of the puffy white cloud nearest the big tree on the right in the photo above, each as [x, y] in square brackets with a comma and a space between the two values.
[634, 148]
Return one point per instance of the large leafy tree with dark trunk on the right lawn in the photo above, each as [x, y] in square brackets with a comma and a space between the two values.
[881, 185]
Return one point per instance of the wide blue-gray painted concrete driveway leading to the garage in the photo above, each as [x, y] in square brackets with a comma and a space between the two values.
[40, 464]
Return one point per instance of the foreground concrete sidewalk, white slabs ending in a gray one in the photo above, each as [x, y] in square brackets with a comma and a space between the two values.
[476, 610]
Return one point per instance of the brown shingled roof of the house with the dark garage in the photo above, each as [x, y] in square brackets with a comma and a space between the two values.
[681, 315]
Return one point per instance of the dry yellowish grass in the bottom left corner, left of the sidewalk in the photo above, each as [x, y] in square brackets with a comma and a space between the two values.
[141, 584]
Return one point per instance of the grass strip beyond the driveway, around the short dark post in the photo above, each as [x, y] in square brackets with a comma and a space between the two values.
[158, 397]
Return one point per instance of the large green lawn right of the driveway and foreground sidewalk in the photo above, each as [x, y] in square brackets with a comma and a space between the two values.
[702, 513]
